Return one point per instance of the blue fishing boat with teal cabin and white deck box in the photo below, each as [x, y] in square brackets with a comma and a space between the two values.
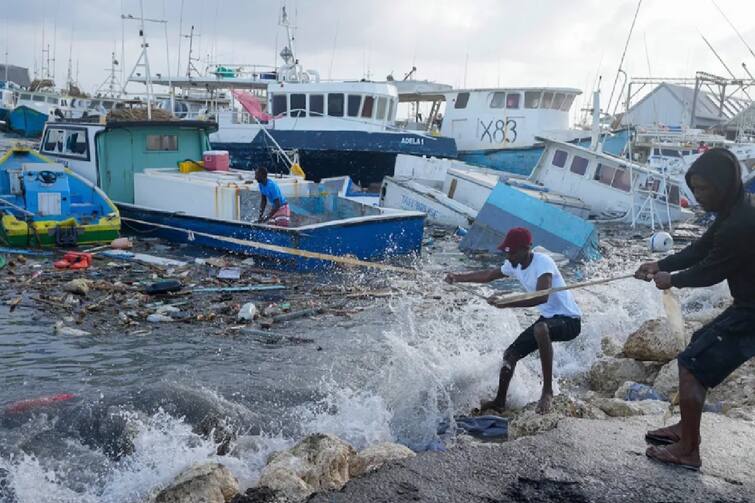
[139, 165]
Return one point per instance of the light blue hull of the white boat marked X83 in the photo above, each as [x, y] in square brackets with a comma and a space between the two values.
[523, 161]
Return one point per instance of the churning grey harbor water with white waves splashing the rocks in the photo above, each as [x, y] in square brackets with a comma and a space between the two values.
[146, 407]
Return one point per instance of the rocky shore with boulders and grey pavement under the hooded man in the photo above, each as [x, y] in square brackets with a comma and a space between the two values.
[589, 448]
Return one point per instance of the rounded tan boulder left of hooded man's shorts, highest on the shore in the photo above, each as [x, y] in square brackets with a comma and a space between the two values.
[656, 341]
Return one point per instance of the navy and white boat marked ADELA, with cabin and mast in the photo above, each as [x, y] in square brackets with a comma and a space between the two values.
[334, 128]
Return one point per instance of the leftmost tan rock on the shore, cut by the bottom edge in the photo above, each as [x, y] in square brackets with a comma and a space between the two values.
[205, 483]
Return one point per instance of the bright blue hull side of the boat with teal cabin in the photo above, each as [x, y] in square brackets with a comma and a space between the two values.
[399, 235]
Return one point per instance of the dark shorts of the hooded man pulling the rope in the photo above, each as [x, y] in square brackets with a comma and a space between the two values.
[721, 346]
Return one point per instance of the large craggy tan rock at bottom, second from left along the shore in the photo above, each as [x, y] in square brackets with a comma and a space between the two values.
[319, 462]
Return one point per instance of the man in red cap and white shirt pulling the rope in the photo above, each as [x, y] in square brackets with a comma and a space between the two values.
[560, 317]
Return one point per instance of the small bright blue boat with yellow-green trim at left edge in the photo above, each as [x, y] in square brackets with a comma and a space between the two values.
[42, 203]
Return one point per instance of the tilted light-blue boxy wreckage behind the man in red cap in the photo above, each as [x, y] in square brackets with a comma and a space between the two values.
[551, 227]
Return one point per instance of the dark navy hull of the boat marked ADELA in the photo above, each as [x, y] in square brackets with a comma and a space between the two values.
[365, 157]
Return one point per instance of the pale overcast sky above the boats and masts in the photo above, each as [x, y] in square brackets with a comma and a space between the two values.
[471, 43]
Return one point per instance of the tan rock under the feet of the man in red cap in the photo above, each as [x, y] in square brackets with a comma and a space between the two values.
[528, 422]
